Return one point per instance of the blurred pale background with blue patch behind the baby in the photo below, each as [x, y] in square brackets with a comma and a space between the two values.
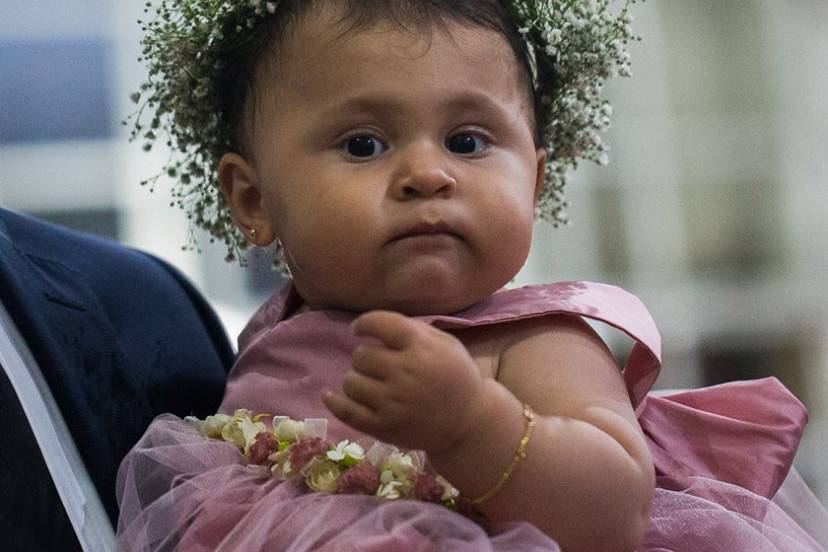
[712, 210]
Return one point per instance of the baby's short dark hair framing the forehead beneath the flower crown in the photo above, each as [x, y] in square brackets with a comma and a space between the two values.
[244, 60]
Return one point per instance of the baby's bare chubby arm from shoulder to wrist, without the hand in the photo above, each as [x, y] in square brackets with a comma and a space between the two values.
[588, 478]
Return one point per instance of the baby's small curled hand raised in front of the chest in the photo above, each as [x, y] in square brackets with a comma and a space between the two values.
[419, 389]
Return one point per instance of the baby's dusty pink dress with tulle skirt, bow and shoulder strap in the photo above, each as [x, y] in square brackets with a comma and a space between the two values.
[721, 453]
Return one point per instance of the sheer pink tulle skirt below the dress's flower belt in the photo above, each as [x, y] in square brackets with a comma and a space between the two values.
[180, 491]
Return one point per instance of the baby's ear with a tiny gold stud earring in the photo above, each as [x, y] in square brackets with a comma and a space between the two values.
[239, 185]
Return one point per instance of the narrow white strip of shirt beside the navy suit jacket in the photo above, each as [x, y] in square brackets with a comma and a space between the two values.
[74, 486]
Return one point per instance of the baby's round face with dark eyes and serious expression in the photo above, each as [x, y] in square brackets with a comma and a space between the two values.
[398, 173]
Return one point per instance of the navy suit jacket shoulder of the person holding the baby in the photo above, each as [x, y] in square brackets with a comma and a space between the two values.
[120, 336]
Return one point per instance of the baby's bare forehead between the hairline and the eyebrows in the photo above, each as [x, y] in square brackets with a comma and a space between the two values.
[385, 58]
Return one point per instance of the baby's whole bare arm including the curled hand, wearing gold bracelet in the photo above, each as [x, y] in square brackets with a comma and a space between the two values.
[587, 479]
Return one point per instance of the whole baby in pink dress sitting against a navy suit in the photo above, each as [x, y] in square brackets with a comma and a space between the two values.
[394, 153]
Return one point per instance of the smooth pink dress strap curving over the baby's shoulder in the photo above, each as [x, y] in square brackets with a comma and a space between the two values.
[604, 303]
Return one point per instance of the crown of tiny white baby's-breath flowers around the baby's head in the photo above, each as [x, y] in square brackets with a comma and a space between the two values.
[575, 46]
